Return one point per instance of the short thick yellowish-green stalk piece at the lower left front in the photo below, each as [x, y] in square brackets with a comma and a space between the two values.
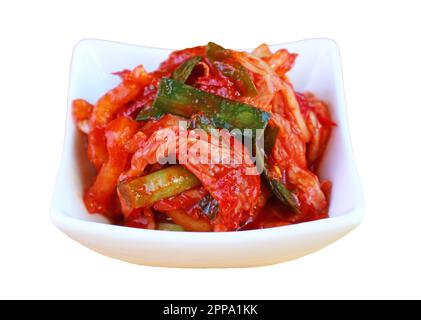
[145, 191]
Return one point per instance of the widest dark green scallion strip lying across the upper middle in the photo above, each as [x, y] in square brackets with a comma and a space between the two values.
[180, 99]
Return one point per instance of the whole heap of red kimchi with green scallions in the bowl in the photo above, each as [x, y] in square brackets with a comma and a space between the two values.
[213, 140]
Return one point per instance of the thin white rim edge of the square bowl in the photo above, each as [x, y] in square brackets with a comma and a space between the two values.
[352, 216]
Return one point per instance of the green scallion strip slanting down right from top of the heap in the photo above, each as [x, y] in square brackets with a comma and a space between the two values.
[222, 59]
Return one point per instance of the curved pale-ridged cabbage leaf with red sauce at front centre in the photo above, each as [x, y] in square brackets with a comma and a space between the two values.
[236, 191]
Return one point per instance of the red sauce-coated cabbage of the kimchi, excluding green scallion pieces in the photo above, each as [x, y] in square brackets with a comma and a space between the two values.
[120, 147]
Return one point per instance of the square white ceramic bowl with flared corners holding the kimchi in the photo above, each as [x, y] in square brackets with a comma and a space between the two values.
[317, 69]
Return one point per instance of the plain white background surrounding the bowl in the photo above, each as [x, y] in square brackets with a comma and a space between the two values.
[381, 53]
